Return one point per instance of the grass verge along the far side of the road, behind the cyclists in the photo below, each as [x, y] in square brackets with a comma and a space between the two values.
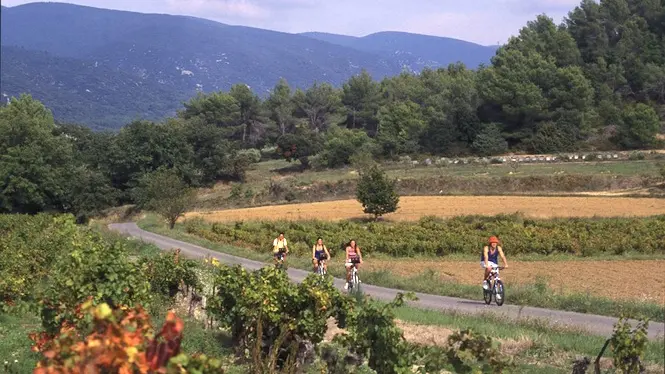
[537, 295]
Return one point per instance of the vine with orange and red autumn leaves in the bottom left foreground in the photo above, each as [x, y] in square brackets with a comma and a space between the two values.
[119, 342]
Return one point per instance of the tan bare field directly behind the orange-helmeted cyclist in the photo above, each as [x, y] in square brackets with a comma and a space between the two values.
[620, 280]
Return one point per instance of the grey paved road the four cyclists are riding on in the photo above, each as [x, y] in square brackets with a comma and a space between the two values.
[600, 325]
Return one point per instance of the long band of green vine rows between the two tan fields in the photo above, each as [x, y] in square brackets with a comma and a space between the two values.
[461, 235]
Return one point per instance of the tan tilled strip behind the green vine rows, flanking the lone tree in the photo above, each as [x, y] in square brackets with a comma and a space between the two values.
[414, 207]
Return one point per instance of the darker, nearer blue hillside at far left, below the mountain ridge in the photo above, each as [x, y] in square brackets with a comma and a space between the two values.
[83, 92]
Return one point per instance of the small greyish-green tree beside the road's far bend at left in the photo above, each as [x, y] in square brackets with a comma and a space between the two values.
[166, 193]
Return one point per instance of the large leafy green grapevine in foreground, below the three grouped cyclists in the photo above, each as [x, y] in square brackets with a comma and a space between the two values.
[263, 307]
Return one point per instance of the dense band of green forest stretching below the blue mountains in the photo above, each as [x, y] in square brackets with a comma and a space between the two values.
[595, 82]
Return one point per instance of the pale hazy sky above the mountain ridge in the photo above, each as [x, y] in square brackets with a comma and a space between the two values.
[480, 21]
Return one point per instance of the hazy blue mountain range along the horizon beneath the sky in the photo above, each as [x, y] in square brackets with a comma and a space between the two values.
[104, 68]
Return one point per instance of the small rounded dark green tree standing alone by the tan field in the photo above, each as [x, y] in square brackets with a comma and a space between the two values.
[376, 192]
